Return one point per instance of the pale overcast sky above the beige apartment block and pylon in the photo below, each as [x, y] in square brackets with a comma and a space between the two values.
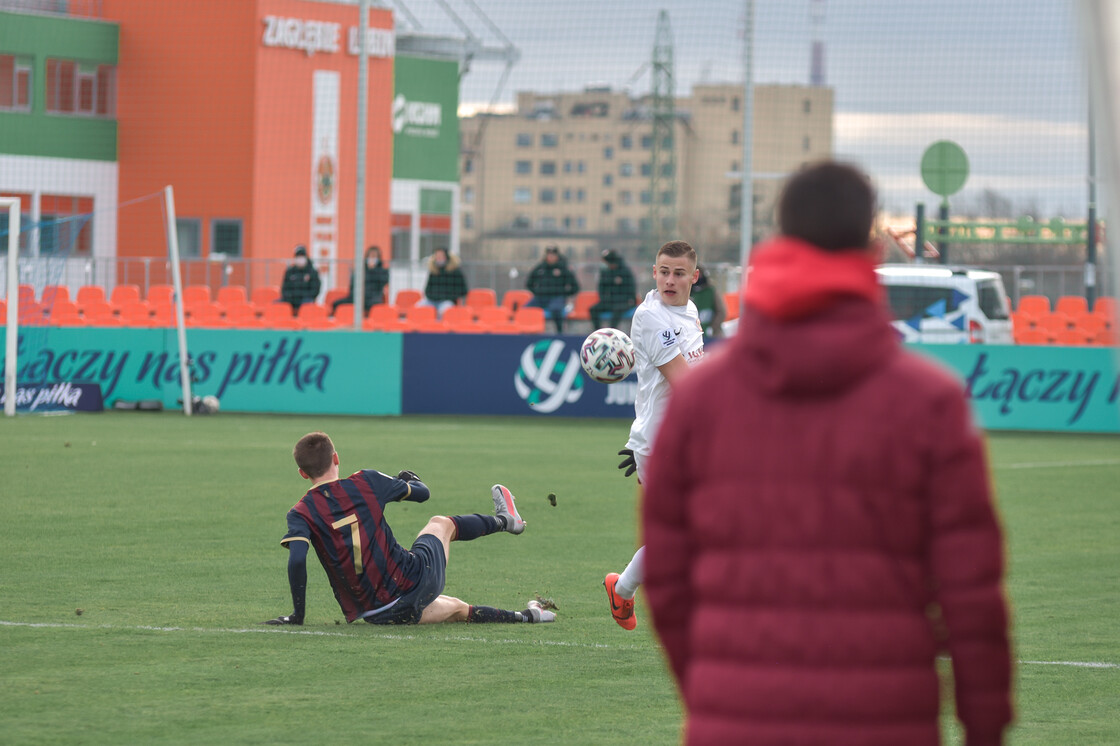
[1002, 78]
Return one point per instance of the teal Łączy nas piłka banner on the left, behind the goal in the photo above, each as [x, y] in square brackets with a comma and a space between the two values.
[248, 370]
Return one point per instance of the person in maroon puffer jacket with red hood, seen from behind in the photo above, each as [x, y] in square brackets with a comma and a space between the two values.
[818, 520]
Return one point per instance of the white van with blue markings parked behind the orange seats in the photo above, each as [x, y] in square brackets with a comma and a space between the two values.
[948, 305]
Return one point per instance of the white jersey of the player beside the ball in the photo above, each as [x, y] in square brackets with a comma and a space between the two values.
[660, 334]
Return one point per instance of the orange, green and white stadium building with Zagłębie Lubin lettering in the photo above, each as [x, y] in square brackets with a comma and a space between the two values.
[247, 109]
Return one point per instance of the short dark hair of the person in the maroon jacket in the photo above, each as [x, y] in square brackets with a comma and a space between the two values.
[830, 206]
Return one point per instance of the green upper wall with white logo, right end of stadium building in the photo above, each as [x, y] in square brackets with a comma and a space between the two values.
[426, 120]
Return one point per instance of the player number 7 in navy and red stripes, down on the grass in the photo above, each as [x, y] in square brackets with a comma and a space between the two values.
[376, 579]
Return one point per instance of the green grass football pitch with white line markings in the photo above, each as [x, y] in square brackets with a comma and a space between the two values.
[138, 554]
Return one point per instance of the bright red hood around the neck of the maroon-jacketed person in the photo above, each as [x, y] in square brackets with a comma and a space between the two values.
[791, 279]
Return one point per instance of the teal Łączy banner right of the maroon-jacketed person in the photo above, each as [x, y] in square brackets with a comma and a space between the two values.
[1056, 389]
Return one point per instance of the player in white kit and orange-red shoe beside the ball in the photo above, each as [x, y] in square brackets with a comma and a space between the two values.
[668, 339]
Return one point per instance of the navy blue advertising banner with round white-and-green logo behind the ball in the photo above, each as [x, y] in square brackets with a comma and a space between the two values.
[506, 375]
